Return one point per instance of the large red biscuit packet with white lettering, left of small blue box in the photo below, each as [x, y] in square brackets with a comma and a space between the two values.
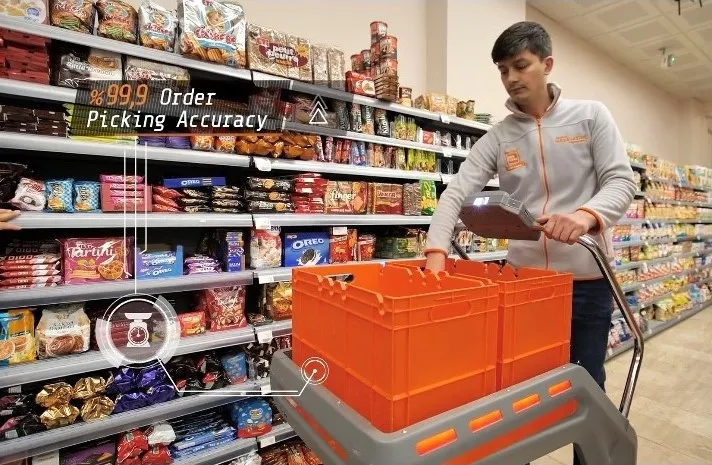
[97, 260]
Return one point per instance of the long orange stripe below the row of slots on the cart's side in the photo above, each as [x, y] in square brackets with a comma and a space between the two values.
[539, 424]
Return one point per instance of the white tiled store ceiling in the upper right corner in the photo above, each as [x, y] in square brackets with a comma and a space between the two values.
[633, 31]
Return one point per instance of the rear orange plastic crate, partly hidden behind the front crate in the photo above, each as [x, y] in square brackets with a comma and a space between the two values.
[534, 316]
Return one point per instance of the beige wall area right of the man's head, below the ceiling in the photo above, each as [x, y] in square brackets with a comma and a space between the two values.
[648, 116]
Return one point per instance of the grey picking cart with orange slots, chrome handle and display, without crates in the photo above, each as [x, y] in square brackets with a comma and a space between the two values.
[511, 427]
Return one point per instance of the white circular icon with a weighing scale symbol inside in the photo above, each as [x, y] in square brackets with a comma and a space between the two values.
[138, 329]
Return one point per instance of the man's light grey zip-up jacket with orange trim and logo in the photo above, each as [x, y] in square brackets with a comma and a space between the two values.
[573, 158]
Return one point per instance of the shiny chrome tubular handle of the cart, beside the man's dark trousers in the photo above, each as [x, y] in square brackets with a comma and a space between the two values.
[619, 296]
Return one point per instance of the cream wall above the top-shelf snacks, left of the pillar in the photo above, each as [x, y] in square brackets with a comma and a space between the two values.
[346, 25]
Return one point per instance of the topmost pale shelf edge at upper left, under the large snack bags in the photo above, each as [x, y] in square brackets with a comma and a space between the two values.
[64, 35]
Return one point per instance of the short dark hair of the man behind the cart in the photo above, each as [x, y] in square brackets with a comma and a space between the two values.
[525, 35]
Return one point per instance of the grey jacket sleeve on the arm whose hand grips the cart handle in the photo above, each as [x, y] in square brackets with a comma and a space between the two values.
[615, 176]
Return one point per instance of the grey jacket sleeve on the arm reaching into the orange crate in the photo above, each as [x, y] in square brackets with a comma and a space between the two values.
[474, 173]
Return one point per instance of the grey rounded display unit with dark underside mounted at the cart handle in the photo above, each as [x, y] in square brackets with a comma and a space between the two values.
[496, 214]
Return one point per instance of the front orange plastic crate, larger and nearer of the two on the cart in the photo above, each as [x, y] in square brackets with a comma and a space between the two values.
[401, 345]
